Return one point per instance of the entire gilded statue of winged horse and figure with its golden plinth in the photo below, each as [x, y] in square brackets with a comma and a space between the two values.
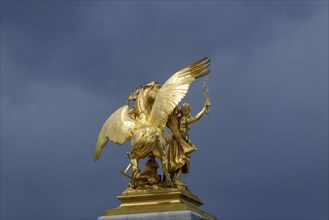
[156, 108]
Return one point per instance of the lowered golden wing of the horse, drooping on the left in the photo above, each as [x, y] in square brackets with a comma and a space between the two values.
[118, 128]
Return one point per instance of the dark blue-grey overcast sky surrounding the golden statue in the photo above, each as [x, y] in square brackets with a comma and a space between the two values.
[67, 65]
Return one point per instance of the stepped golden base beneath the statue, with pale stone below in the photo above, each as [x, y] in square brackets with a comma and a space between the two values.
[170, 203]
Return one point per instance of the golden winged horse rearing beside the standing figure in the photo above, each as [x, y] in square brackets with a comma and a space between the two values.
[145, 124]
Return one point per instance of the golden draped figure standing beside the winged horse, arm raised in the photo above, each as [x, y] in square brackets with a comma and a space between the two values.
[181, 146]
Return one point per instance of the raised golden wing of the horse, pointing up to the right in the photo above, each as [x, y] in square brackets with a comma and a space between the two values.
[174, 90]
